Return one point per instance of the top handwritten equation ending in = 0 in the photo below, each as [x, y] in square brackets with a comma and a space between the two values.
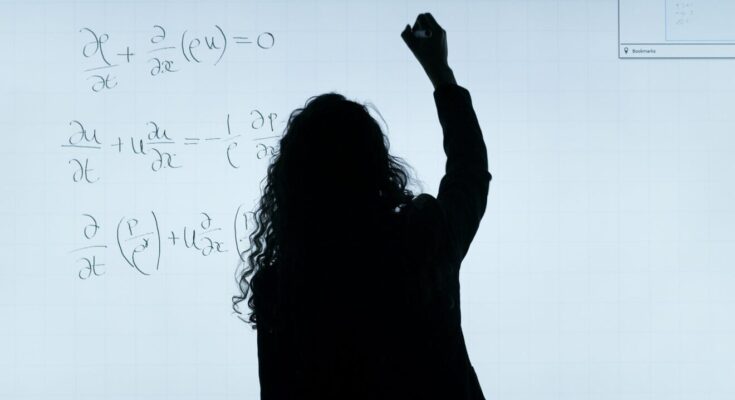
[165, 53]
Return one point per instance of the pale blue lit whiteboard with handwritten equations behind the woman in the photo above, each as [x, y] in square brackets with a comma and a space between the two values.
[603, 267]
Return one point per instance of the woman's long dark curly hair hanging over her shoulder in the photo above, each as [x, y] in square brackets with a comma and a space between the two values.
[333, 159]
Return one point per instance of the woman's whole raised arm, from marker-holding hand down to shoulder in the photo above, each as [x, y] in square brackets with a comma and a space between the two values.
[462, 198]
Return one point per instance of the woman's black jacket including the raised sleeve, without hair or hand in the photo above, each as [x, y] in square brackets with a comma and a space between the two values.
[385, 322]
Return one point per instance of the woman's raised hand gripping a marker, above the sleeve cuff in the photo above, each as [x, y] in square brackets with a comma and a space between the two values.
[428, 42]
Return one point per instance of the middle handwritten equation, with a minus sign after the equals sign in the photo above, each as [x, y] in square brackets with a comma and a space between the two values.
[158, 146]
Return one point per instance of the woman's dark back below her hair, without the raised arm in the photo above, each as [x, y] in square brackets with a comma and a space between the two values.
[381, 321]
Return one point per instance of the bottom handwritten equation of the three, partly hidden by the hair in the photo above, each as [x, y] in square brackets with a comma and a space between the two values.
[141, 240]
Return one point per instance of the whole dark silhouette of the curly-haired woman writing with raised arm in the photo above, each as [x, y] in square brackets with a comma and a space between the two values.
[354, 281]
